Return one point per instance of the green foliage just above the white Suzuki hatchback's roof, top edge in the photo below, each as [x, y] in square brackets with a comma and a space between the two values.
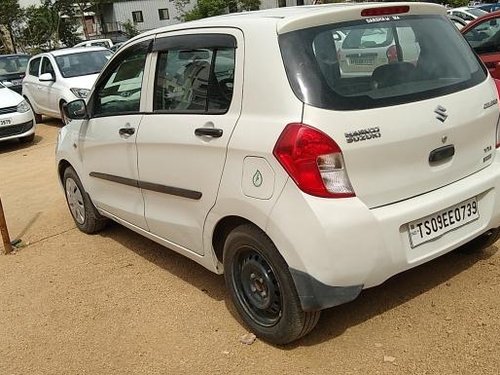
[210, 8]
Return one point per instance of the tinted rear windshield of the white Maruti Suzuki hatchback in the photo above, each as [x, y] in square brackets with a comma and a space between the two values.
[379, 62]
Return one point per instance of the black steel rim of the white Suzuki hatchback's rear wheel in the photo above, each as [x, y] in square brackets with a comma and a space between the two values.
[257, 287]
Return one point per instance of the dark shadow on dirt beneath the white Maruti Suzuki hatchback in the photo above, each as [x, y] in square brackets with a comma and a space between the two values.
[335, 321]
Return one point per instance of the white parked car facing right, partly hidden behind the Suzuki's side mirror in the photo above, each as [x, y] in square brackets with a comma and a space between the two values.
[60, 76]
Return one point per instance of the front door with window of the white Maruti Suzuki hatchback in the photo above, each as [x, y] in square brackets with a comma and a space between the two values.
[108, 138]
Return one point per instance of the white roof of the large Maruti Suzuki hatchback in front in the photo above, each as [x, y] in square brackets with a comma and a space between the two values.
[288, 18]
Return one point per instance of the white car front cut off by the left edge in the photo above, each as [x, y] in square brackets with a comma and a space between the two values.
[16, 117]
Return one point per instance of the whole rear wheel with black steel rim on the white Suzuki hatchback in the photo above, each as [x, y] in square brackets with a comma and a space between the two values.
[262, 288]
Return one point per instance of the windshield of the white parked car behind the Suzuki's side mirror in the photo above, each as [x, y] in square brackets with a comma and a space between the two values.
[82, 63]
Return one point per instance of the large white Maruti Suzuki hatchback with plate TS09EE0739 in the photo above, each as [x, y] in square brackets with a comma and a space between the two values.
[237, 142]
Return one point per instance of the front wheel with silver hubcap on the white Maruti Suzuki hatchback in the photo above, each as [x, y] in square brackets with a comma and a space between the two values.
[85, 215]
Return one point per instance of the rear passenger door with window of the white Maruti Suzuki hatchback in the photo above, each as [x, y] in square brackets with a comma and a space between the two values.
[195, 104]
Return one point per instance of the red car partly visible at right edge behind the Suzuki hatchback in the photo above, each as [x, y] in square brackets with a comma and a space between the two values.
[484, 38]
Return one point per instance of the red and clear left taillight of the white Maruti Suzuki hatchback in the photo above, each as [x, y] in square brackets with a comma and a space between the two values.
[314, 161]
